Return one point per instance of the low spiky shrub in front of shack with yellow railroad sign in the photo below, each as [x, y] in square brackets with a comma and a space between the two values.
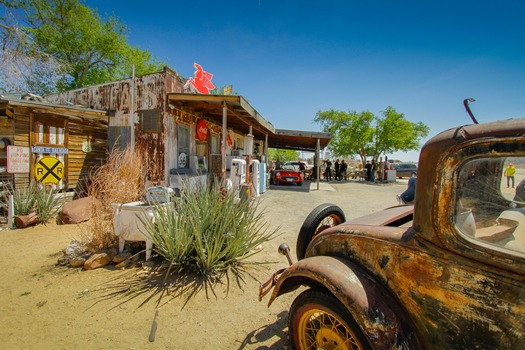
[41, 199]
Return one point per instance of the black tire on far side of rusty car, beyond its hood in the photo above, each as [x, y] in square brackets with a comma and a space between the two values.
[323, 216]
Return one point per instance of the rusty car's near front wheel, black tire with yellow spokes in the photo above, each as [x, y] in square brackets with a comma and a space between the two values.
[317, 320]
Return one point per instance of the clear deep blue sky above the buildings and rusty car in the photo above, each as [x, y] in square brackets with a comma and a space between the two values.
[291, 58]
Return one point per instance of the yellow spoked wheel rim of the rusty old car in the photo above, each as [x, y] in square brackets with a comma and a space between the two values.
[320, 329]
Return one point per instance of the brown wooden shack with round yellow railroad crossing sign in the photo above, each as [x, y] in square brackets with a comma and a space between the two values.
[72, 138]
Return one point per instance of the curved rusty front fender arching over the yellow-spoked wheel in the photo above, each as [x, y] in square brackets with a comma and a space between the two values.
[382, 320]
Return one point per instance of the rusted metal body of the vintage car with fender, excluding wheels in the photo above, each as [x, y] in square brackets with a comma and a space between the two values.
[447, 288]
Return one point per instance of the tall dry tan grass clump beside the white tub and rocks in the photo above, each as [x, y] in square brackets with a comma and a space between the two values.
[120, 180]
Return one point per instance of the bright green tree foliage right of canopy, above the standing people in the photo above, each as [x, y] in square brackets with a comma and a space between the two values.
[365, 134]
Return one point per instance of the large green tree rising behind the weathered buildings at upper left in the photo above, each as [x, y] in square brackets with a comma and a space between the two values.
[87, 49]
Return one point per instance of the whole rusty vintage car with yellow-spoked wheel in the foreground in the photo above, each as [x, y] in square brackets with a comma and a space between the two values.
[447, 272]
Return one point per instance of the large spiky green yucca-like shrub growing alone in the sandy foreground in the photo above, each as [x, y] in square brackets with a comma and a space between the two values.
[209, 229]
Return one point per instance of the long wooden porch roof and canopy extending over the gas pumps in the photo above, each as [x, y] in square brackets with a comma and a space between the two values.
[241, 115]
